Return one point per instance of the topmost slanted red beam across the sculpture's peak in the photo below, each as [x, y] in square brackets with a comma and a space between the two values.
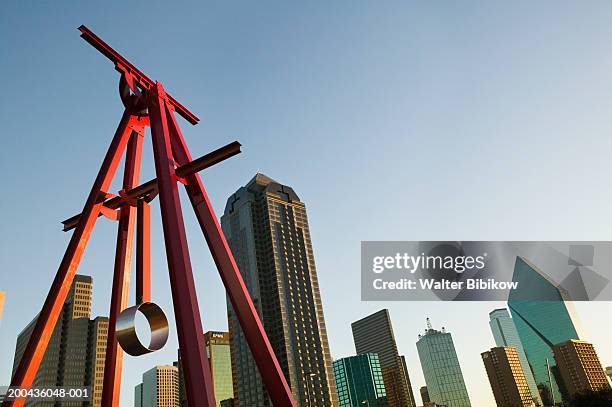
[140, 77]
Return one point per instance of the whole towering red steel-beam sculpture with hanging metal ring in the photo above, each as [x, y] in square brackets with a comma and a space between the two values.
[148, 105]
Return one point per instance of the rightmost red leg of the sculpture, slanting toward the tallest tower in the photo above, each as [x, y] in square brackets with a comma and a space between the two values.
[258, 341]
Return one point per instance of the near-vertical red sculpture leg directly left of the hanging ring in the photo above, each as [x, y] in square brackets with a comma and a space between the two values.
[123, 260]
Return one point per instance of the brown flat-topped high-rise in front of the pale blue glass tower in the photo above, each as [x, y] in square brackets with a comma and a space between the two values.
[507, 378]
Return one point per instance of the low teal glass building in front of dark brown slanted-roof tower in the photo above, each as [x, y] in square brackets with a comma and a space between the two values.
[359, 381]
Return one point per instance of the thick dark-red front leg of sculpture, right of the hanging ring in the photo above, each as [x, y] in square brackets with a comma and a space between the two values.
[198, 379]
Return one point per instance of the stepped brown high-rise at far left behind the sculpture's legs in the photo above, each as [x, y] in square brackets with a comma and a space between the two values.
[76, 352]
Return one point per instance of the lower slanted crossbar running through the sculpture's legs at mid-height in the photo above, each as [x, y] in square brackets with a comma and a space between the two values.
[150, 187]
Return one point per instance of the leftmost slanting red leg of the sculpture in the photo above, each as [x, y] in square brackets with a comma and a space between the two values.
[35, 350]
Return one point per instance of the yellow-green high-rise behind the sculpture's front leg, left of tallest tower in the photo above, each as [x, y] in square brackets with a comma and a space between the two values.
[220, 359]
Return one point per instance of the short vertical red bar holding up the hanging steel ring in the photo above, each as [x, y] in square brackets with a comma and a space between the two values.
[143, 253]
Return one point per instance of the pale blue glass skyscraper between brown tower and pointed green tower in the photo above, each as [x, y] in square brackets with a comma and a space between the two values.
[505, 334]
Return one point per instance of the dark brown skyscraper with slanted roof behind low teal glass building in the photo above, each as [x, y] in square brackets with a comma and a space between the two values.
[374, 334]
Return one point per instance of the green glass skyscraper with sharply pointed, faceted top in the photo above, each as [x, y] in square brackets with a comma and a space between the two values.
[540, 324]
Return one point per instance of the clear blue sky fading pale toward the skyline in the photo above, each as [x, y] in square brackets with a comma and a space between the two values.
[395, 120]
